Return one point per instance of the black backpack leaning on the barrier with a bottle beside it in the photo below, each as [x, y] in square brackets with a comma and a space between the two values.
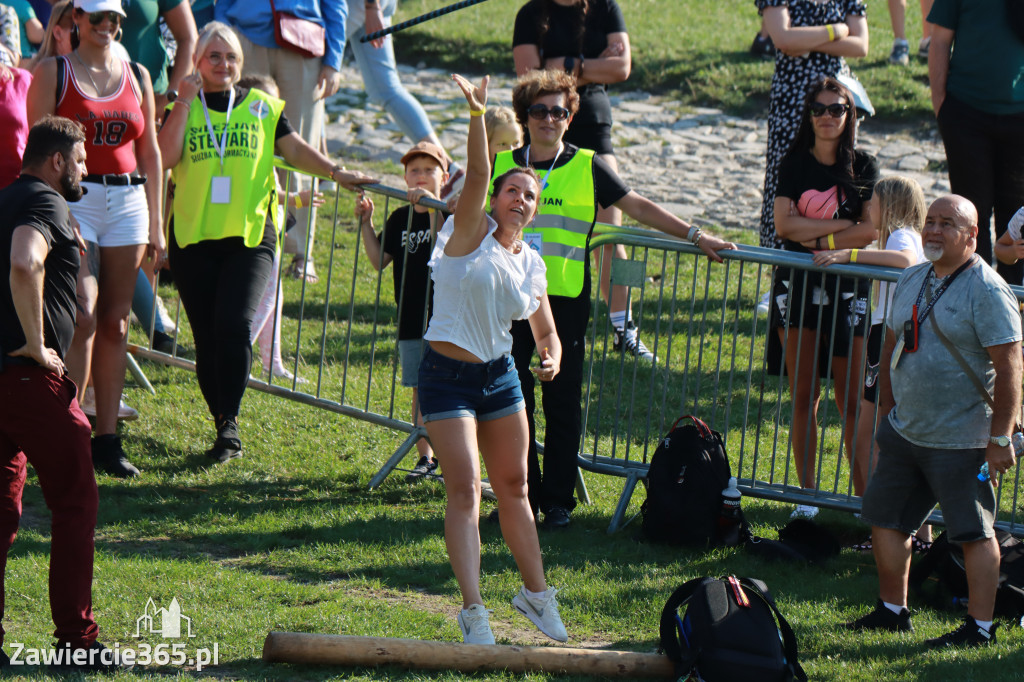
[685, 484]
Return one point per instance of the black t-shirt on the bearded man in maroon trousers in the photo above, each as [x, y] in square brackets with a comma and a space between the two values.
[31, 202]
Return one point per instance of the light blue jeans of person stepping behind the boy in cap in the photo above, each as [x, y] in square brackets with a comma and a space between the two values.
[380, 78]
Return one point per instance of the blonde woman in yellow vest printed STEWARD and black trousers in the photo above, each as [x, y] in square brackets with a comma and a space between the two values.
[220, 141]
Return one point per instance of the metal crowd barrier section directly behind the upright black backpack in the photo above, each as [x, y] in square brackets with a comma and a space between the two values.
[700, 319]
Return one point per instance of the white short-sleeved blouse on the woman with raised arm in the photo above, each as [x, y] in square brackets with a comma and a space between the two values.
[479, 295]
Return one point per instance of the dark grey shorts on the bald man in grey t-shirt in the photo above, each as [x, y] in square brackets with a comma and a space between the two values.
[910, 480]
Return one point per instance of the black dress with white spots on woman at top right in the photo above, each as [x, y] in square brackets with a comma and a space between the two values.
[789, 88]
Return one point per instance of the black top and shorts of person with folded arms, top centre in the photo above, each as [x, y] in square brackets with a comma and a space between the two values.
[562, 39]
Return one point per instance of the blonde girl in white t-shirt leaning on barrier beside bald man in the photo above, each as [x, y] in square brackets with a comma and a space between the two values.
[898, 207]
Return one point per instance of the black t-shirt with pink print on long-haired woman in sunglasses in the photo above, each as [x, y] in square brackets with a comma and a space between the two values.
[818, 191]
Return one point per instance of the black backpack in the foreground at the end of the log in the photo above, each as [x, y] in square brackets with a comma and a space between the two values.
[732, 632]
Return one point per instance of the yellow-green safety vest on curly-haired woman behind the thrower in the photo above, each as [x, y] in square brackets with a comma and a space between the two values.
[565, 221]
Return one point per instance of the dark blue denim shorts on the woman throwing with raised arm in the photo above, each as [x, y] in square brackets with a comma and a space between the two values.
[451, 389]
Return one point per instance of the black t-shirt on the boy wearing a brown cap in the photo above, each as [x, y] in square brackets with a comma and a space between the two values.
[420, 238]
